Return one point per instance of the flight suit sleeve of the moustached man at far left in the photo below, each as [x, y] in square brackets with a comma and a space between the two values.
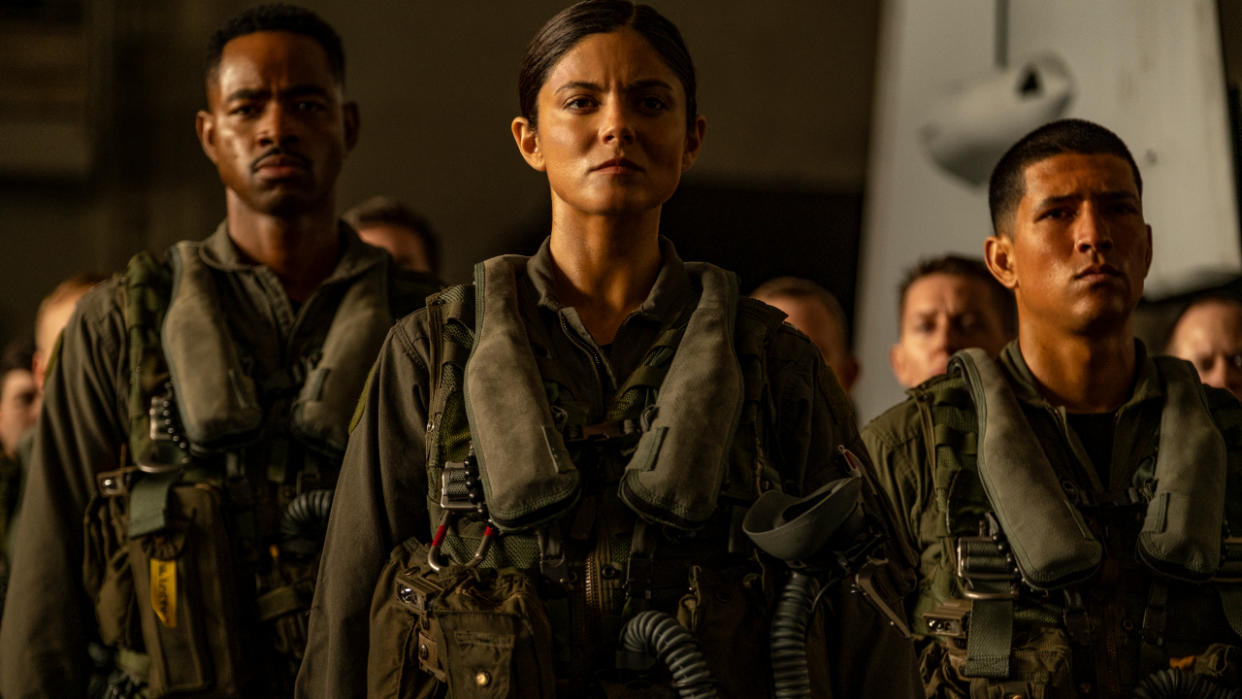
[49, 619]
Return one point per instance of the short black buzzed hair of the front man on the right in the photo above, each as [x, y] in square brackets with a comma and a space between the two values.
[1067, 136]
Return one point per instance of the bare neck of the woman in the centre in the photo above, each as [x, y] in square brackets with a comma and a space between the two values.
[605, 266]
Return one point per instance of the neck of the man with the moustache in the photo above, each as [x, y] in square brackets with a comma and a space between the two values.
[302, 250]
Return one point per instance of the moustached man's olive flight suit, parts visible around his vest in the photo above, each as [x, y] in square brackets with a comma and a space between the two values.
[84, 431]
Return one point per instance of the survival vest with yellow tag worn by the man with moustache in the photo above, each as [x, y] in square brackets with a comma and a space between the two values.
[202, 548]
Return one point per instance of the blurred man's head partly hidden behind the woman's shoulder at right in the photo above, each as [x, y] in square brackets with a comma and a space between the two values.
[814, 311]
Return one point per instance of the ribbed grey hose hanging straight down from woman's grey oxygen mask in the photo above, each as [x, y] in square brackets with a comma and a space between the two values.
[792, 677]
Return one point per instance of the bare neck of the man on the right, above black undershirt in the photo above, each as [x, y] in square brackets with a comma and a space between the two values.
[1084, 374]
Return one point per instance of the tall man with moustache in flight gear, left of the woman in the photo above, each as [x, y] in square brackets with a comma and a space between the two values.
[198, 412]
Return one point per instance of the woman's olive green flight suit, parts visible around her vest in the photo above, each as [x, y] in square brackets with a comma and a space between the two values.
[383, 494]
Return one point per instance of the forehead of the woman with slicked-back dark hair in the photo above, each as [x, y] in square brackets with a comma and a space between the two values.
[622, 56]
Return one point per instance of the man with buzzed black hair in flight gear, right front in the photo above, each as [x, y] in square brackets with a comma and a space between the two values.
[1070, 503]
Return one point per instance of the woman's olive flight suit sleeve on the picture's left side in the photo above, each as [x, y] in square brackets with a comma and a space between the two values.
[381, 502]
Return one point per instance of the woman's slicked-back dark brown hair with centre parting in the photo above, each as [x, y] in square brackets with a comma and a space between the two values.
[603, 17]
